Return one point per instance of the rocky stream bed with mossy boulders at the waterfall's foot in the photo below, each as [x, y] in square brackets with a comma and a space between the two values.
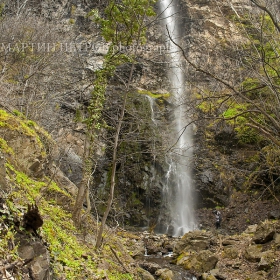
[209, 255]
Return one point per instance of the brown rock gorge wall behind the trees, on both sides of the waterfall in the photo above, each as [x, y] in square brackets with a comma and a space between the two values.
[66, 83]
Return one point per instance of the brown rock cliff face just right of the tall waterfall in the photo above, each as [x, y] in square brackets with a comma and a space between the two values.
[218, 155]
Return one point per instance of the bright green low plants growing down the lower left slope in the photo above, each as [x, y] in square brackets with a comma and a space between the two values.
[58, 229]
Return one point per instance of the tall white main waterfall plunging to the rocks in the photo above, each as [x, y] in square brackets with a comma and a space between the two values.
[177, 192]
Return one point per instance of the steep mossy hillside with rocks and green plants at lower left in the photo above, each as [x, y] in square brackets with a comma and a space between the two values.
[37, 235]
